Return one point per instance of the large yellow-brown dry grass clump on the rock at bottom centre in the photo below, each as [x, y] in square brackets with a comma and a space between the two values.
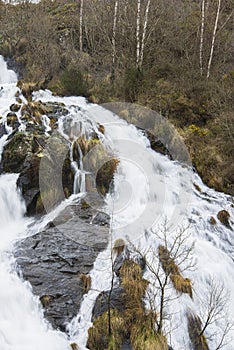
[133, 323]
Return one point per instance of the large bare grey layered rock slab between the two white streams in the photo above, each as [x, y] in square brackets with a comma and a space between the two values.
[54, 260]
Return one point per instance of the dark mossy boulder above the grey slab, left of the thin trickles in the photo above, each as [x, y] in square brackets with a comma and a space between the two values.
[23, 154]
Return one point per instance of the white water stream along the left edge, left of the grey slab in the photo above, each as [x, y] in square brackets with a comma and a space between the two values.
[22, 326]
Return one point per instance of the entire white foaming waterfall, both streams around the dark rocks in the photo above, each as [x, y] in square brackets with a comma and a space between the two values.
[148, 187]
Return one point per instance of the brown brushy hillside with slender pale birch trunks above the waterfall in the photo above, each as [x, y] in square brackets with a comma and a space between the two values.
[172, 59]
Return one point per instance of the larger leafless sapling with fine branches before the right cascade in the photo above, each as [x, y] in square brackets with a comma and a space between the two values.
[166, 264]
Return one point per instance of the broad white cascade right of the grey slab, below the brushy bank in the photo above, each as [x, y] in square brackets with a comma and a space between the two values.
[149, 188]
